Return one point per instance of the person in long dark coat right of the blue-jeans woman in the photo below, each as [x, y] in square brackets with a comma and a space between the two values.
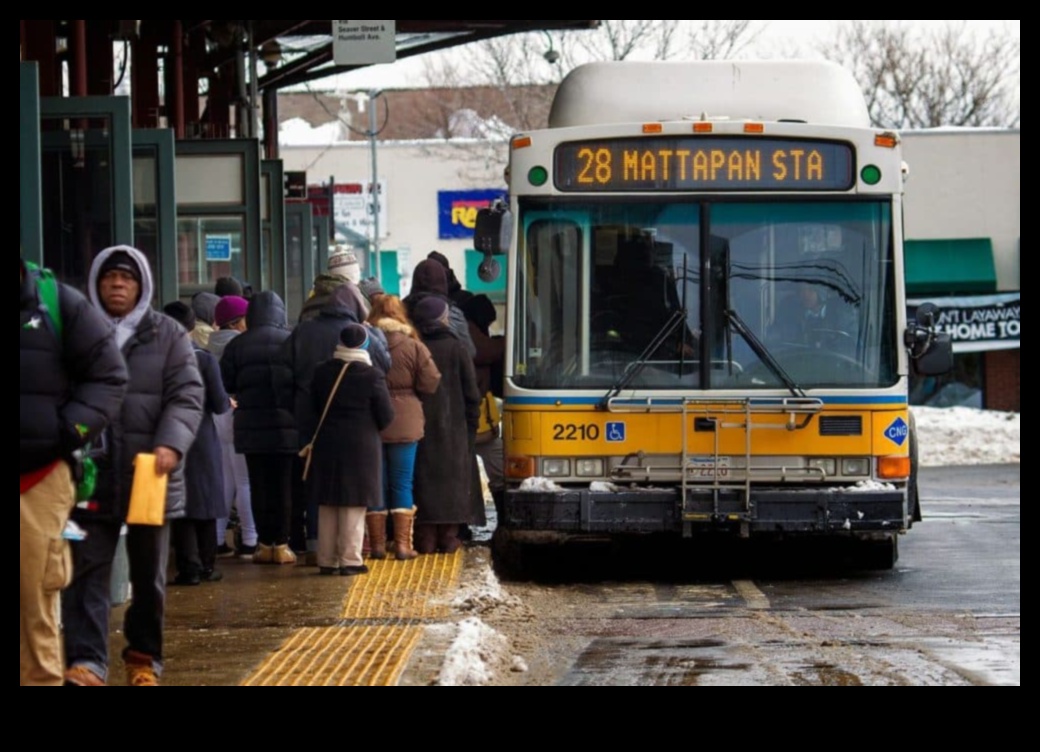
[446, 461]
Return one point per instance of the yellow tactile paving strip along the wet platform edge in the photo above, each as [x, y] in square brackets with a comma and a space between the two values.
[384, 614]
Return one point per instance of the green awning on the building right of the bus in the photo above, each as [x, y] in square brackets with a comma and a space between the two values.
[951, 267]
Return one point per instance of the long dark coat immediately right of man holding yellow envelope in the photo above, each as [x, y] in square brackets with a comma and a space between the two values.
[204, 468]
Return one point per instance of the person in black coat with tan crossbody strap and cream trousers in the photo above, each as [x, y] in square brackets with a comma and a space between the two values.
[347, 461]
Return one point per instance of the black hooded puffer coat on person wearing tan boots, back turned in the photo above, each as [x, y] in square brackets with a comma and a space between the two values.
[261, 382]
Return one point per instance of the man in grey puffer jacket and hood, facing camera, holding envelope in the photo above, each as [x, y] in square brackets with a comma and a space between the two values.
[161, 416]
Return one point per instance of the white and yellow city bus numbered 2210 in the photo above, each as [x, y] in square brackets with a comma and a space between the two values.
[707, 327]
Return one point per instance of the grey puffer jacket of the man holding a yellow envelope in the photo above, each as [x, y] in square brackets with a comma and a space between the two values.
[163, 408]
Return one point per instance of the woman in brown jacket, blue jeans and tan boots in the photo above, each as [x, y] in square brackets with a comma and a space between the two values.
[412, 373]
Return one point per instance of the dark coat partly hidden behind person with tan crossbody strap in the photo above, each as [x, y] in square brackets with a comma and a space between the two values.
[315, 342]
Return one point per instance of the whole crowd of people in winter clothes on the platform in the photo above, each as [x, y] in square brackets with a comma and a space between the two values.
[227, 419]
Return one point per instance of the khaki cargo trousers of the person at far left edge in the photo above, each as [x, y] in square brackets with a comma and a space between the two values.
[45, 569]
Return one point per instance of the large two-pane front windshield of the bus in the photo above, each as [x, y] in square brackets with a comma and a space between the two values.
[645, 292]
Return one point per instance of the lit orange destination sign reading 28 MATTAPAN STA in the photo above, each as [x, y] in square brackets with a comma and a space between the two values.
[704, 164]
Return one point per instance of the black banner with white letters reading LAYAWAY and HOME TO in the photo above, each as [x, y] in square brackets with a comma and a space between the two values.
[979, 323]
